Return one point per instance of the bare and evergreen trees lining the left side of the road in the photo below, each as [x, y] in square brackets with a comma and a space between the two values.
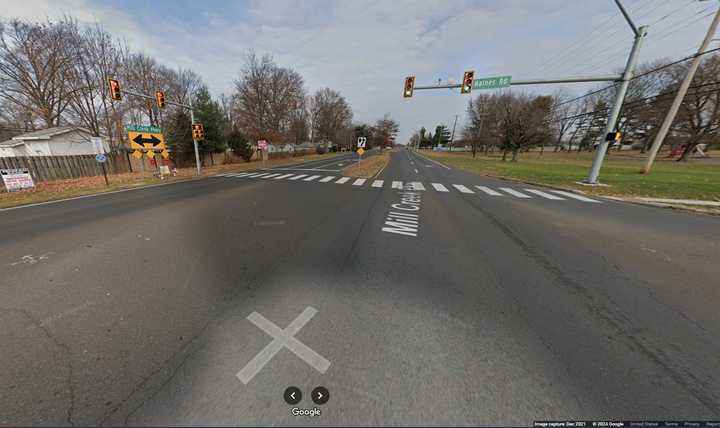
[55, 73]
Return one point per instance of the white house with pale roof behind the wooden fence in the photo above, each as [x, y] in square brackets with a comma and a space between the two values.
[58, 141]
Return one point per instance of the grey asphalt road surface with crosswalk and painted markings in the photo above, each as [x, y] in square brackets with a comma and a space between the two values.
[425, 296]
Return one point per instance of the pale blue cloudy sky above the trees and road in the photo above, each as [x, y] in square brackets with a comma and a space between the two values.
[365, 48]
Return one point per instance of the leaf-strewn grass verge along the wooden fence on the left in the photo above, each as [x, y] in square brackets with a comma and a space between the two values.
[62, 189]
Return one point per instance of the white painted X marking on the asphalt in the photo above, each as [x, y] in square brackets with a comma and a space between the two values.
[282, 339]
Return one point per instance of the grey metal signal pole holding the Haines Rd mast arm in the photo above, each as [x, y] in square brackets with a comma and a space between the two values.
[624, 83]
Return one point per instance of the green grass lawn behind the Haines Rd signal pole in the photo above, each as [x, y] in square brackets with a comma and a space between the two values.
[695, 179]
